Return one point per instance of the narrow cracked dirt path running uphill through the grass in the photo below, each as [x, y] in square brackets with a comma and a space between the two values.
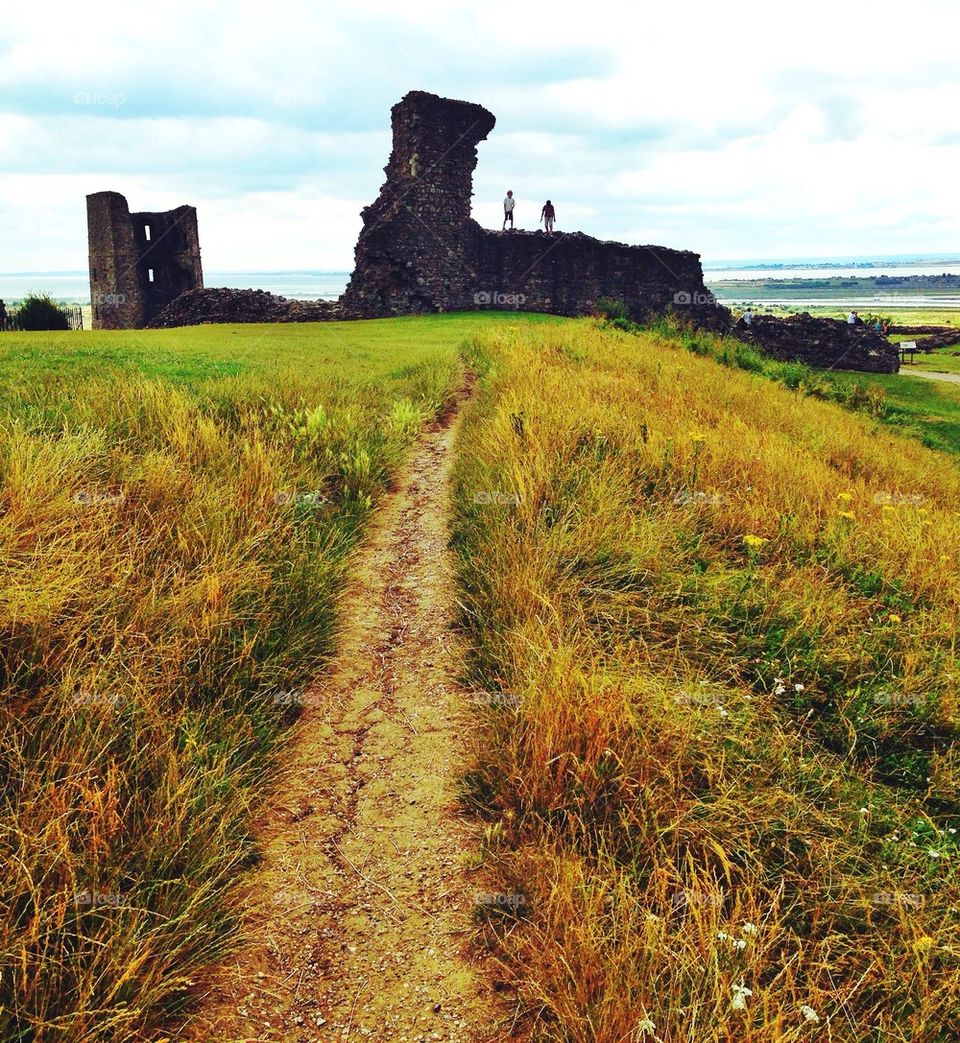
[357, 921]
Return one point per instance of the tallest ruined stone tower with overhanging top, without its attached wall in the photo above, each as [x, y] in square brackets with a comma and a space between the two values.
[418, 246]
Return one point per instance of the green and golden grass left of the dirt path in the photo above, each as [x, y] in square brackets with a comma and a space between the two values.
[177, 510]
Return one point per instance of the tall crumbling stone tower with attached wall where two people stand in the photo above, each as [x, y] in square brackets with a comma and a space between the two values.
[421, 252]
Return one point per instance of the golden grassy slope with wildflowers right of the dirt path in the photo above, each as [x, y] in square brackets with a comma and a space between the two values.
[722, 771]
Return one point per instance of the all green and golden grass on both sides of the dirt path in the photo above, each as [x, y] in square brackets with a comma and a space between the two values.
[178, 514]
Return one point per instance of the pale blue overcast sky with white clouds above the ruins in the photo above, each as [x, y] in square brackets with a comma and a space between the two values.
[740, 130]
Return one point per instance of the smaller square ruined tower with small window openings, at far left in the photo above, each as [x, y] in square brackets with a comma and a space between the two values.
[139, 263]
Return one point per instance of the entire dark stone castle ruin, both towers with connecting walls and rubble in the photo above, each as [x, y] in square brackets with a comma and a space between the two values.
[421, 252]
